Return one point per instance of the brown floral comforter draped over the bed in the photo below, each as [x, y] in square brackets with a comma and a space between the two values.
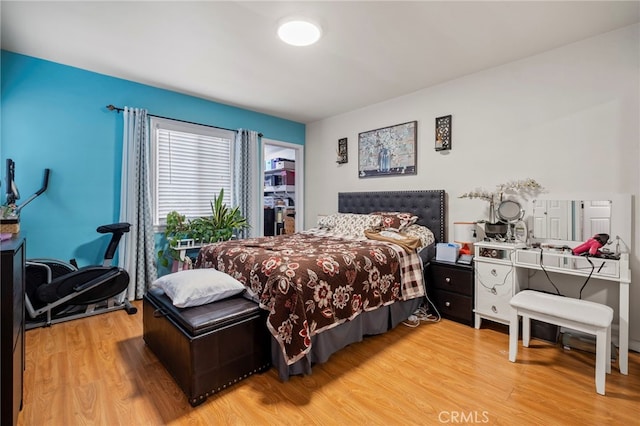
[310, 283]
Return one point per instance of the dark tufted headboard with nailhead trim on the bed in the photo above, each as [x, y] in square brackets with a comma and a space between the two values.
[428, 205]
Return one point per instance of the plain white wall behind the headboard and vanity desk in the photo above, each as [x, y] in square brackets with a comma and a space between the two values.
[568, 118]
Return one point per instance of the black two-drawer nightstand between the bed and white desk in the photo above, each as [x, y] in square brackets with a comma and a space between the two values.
[450, 287]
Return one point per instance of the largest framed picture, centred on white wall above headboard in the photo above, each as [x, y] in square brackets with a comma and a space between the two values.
[388, 151]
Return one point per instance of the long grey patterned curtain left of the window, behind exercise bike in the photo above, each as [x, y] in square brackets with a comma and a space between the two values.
[137, 250]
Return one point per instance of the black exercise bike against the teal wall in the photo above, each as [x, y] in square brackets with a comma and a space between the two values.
[58, 291]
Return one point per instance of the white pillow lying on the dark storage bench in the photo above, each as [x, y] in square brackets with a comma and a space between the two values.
[194, 287]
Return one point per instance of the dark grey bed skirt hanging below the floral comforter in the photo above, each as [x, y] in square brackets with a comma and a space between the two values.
[324, 344]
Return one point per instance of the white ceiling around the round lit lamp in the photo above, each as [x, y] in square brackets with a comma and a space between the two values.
[227, 51]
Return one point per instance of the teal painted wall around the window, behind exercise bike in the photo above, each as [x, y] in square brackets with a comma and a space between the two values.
[54, 116]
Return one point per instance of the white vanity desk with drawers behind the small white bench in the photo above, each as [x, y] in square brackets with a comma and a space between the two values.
[521, 259]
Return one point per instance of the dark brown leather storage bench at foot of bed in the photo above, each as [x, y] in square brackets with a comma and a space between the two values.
[207, 348]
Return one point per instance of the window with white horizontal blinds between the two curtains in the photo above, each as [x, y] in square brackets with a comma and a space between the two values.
[191, 163]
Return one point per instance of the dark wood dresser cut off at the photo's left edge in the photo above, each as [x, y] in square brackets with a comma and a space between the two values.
[11, 328]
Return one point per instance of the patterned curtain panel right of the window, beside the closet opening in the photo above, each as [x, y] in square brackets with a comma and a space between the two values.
[246, 182]
